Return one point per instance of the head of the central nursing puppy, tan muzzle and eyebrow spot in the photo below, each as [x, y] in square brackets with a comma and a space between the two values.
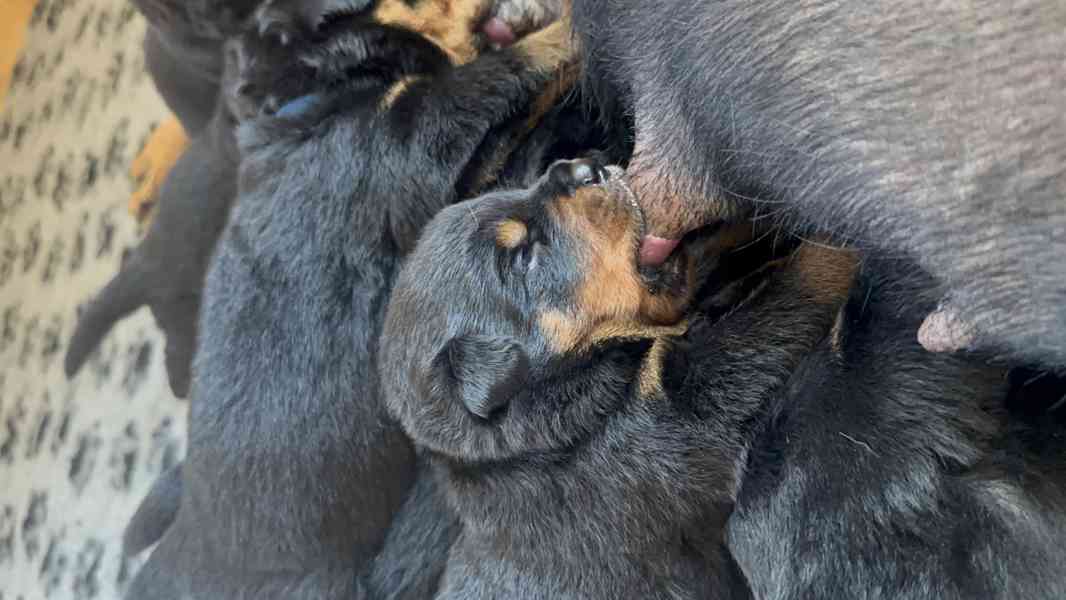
[522, 318]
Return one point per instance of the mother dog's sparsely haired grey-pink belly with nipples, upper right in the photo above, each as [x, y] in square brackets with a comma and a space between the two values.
[929, 132]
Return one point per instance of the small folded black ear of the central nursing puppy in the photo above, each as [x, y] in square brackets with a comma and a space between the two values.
[483, 372]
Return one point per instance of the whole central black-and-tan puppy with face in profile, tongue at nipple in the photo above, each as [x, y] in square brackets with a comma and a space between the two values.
[528, 355]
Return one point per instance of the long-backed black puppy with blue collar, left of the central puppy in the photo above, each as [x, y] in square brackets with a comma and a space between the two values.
[366, 127]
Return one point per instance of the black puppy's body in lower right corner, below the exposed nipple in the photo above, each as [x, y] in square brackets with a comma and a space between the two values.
[887, 472]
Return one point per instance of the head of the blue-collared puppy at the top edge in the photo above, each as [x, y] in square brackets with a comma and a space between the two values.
[289, 54]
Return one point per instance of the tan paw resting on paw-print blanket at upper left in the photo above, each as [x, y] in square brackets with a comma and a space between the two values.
[151, 168]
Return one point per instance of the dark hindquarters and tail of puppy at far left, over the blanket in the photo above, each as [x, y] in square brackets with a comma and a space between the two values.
[166, 272]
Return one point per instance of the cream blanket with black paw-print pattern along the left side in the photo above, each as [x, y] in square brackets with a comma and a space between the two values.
[76, 458]
